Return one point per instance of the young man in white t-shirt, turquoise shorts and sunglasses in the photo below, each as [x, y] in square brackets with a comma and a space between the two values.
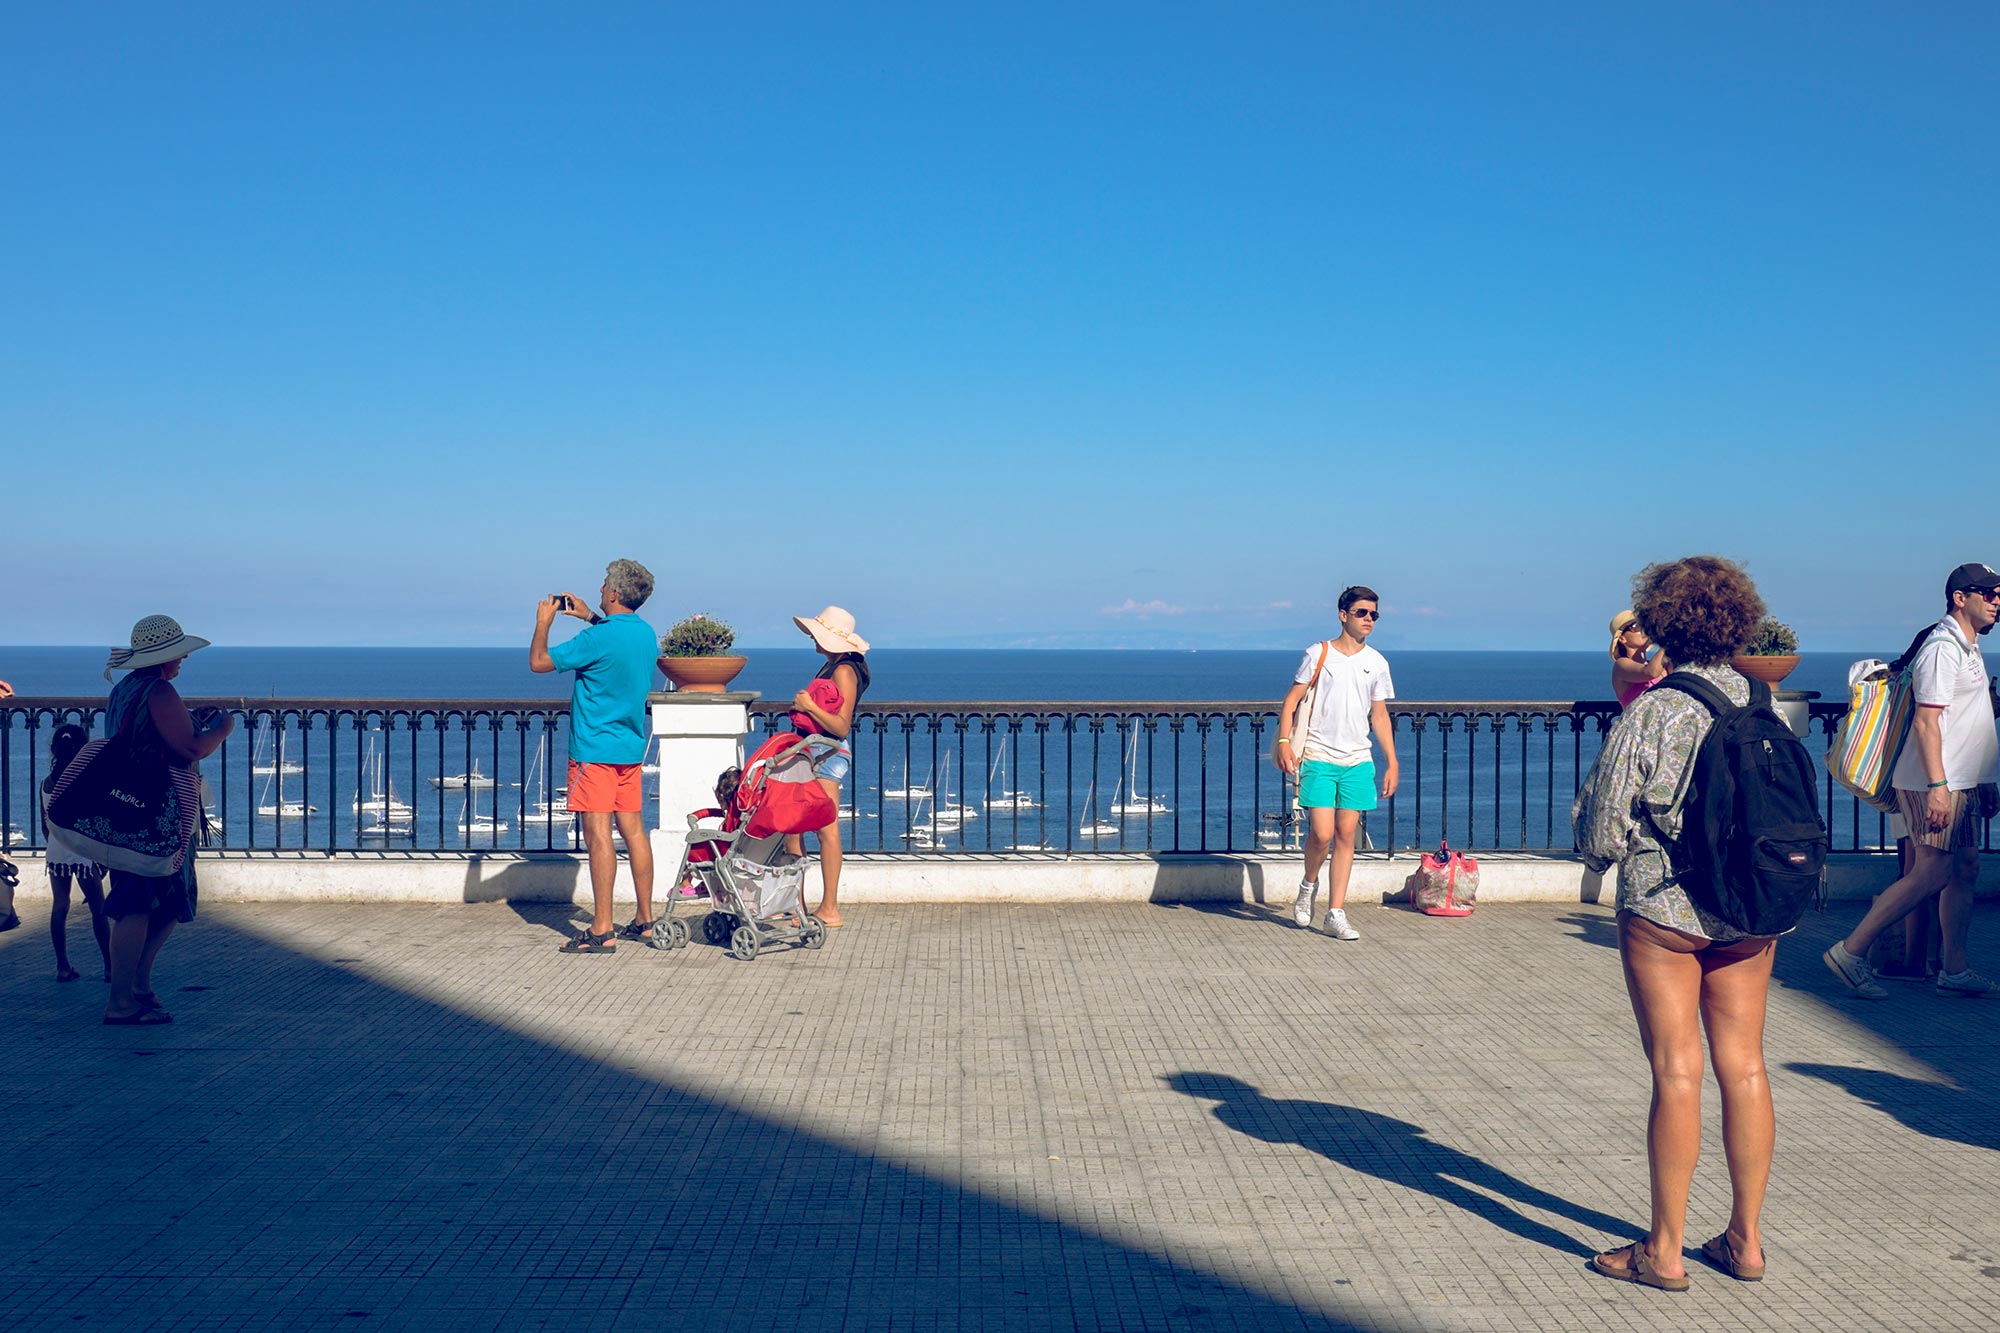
[1329, 752]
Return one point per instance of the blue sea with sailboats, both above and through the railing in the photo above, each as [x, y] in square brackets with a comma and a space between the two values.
[925, 778]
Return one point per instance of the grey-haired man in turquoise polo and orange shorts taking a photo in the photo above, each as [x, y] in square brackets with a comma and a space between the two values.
[613, 663]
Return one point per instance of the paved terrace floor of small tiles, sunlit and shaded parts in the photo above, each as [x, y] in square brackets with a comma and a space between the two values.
[997, 1118]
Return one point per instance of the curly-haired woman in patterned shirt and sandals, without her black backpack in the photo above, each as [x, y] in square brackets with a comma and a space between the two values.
[1683, 968]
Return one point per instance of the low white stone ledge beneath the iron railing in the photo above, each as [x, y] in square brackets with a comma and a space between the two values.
[1115, 878]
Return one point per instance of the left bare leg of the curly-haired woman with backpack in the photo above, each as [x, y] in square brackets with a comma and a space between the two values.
[1665, 980]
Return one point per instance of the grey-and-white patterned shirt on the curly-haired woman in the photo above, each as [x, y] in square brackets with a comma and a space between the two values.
[1631, 800]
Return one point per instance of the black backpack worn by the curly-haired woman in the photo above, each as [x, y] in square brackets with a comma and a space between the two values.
[1753, 850]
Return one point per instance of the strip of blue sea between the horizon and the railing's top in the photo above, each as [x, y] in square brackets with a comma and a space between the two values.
[919, 676]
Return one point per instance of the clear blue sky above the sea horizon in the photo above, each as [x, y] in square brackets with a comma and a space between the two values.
[1059, 325]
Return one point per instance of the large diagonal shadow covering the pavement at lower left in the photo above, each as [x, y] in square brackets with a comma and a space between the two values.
[311, 1148]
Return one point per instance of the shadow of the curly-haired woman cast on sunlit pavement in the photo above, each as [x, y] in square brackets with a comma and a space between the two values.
[1395, 1152]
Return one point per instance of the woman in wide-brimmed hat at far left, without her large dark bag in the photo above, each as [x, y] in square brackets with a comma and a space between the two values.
[147, 908]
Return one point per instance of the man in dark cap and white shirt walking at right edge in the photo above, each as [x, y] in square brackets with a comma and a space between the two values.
[1951, 754]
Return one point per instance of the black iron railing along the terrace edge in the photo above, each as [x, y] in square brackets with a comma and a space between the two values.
[929, 778]
